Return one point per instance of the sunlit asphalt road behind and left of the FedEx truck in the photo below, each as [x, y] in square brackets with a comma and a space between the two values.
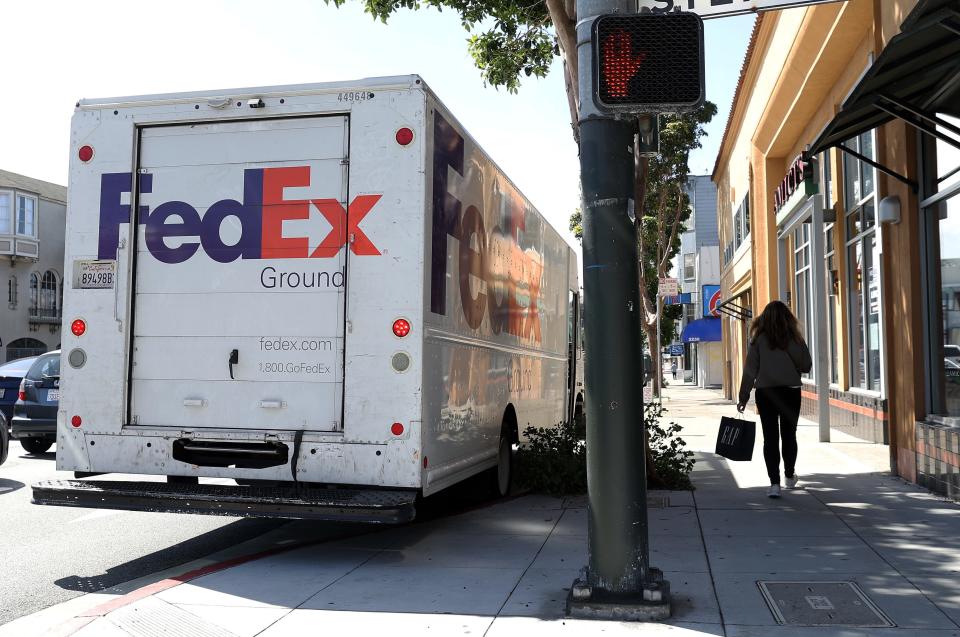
[52, 554]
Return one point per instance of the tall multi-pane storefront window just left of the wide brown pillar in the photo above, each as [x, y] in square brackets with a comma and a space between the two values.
[863, 277]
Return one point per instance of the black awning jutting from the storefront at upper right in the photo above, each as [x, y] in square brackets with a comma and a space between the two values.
[916, 76]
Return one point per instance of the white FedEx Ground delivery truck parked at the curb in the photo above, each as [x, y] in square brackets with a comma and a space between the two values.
[312, 301]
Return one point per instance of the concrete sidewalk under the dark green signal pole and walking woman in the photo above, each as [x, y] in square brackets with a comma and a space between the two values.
[505, 569]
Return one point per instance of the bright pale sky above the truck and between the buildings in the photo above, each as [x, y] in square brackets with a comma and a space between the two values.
[59, 51]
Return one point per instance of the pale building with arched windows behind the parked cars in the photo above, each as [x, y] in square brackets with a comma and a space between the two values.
[32, 217]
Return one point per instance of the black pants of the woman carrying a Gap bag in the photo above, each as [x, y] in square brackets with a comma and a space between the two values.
[779, 409]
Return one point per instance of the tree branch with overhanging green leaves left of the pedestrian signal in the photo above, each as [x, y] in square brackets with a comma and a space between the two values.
[523, 40]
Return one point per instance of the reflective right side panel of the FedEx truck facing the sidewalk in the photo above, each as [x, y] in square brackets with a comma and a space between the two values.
[495, 306]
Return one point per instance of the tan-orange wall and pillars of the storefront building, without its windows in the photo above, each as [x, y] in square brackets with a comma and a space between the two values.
[804, 64]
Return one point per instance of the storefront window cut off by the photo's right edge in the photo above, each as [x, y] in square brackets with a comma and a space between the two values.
[945, 213]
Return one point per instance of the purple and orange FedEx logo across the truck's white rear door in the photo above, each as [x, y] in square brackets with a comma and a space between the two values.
[261, 215]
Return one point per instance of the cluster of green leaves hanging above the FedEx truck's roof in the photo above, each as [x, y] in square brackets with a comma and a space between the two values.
[515, 40]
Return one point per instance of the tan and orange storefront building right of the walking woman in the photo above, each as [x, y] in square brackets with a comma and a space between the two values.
[837, 184]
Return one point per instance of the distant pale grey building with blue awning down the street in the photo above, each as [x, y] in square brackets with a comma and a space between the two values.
[698, 268]
